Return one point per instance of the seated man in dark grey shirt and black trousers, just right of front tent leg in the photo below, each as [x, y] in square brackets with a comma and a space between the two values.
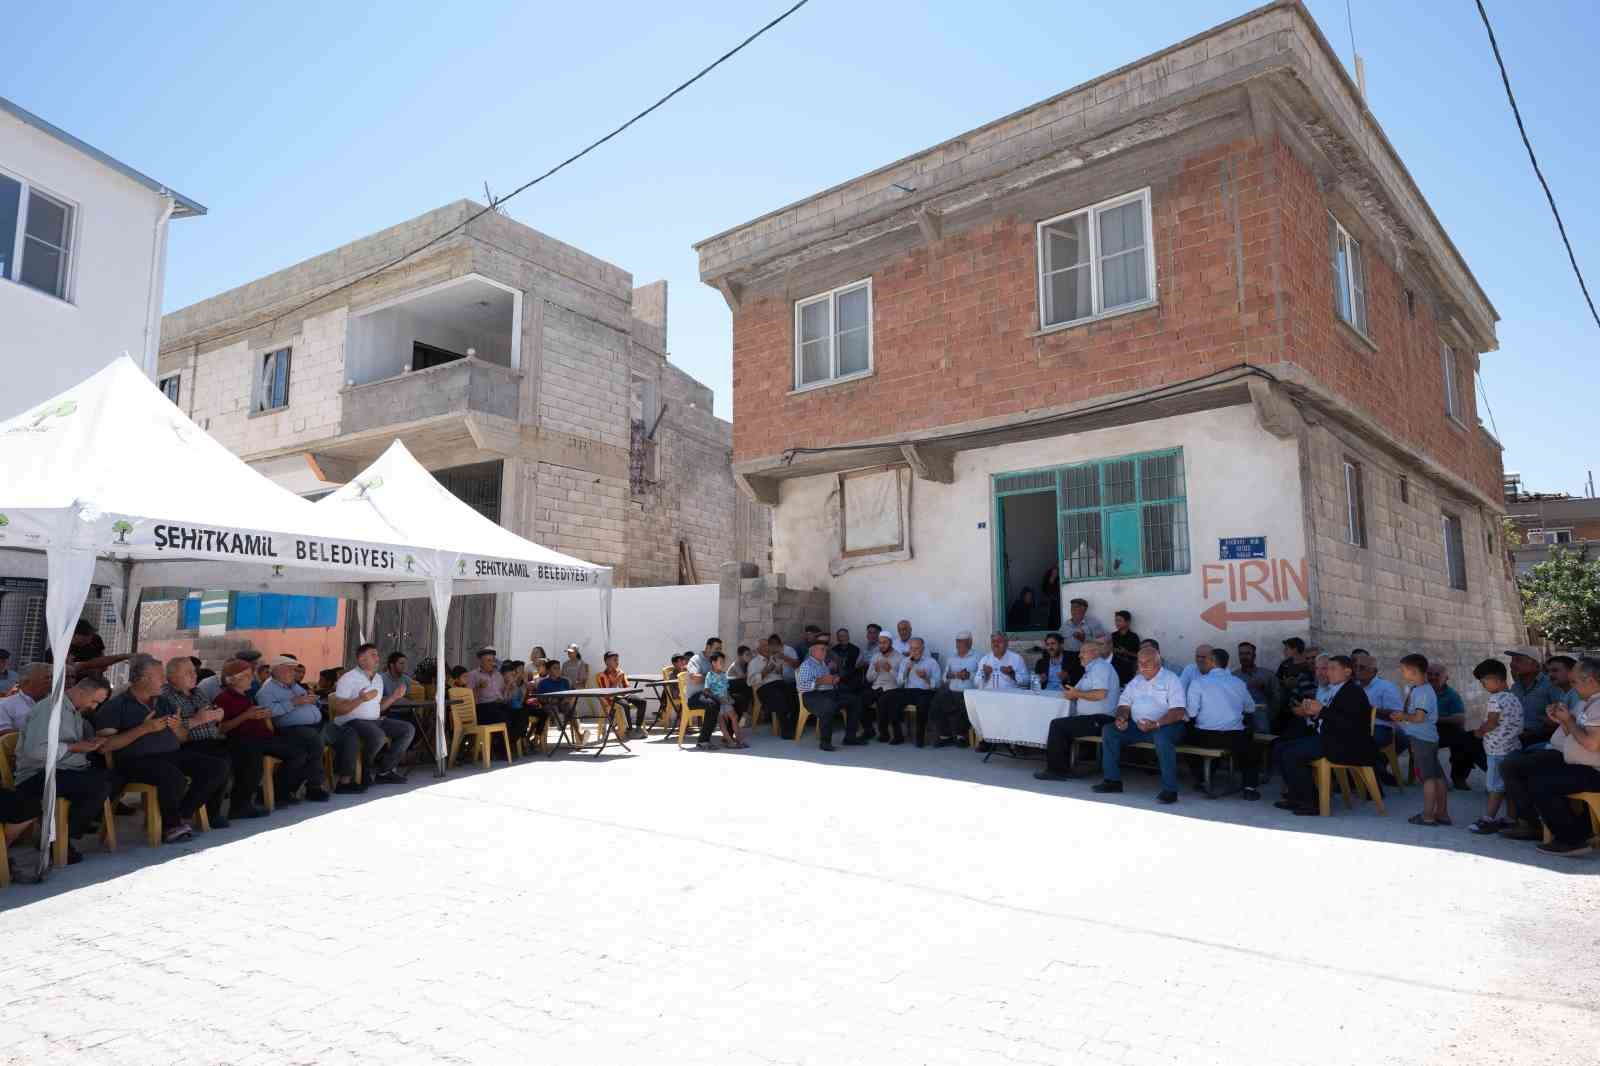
[146, 735]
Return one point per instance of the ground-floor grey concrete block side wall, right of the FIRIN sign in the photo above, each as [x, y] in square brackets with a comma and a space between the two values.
[1394, 596]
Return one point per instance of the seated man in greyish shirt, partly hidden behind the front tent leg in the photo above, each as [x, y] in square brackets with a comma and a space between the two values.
[78, 779]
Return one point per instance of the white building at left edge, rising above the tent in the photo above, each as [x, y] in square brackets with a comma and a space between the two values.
[82, 258]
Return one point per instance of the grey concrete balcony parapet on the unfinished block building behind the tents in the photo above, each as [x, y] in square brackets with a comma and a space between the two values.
[463, 387]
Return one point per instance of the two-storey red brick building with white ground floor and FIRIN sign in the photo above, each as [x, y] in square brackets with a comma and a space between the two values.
[1186, 339]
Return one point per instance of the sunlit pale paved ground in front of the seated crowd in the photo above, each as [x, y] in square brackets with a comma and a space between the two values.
[782, 907]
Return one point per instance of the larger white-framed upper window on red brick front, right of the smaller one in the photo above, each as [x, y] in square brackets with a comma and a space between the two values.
[1097, 262]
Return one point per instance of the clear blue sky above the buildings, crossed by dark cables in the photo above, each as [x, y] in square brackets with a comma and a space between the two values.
[305, 126]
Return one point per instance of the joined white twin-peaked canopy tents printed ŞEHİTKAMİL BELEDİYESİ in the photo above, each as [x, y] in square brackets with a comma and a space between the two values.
[110, 483]
